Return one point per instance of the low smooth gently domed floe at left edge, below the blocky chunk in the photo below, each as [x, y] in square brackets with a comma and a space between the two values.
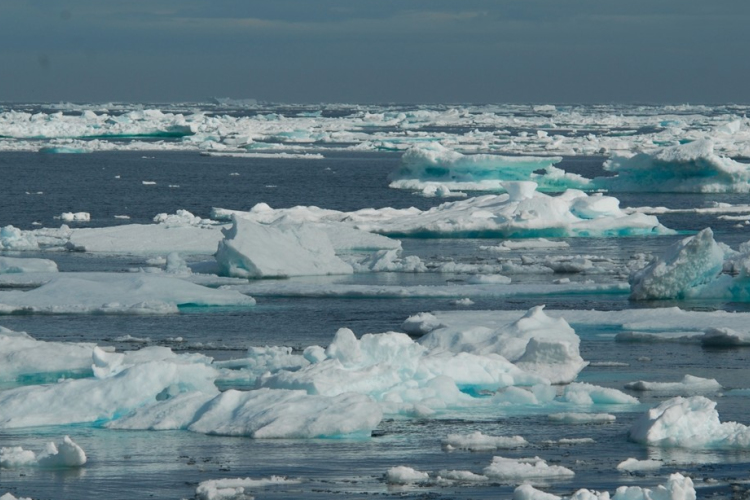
[130, 293]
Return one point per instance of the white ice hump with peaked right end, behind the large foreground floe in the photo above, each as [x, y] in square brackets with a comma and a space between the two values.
[536, 343]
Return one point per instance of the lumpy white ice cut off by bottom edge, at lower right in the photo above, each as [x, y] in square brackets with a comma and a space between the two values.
[677, 487]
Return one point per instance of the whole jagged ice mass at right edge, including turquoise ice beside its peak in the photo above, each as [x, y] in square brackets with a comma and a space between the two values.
[695, 268]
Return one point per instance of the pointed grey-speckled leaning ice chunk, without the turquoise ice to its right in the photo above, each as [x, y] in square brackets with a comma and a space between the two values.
[686, 268]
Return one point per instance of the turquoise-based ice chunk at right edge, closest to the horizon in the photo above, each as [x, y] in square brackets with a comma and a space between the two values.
[686, 168]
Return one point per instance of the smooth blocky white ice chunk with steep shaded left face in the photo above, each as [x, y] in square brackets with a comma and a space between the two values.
[252, 250]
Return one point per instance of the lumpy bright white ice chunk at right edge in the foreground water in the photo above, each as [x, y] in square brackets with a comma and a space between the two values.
[689, 423]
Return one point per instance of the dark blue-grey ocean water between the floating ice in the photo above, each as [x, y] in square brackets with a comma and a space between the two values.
[170, 464]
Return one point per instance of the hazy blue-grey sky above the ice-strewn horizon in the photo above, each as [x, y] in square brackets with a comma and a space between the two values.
[376, 51]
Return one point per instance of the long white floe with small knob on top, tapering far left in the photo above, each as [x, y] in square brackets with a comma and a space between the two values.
[521, 213]
